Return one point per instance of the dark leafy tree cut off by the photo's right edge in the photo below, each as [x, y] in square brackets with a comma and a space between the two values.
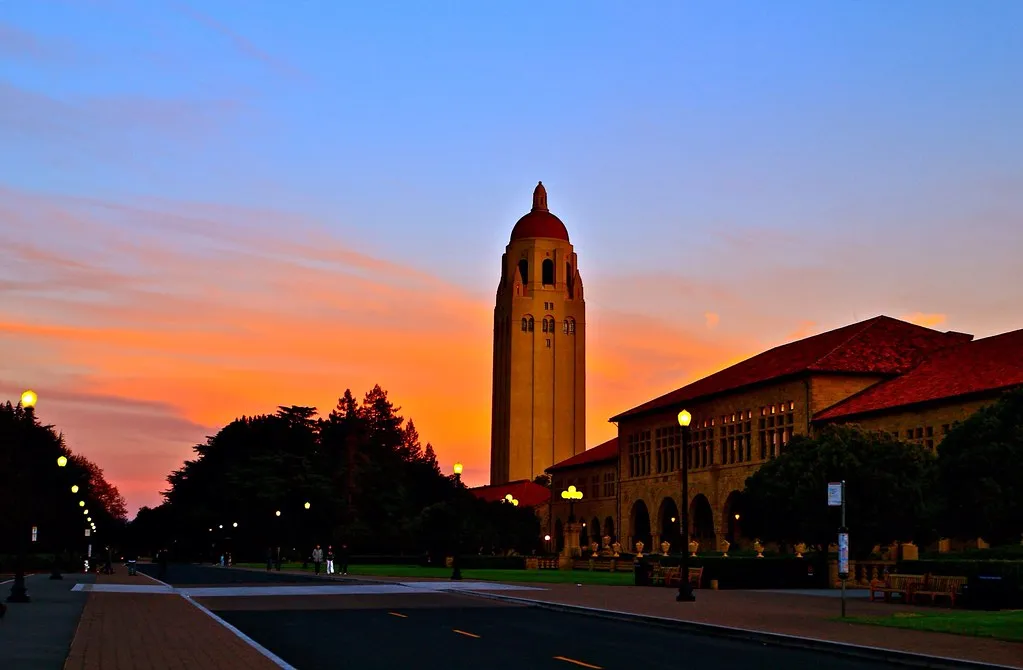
[981, 474]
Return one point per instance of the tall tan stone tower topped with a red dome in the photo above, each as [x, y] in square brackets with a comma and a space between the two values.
[540, 395]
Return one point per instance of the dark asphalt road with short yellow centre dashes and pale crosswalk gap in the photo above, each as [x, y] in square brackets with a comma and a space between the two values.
[442, 632]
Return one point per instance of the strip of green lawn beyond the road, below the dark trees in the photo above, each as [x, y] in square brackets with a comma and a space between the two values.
[540, 576]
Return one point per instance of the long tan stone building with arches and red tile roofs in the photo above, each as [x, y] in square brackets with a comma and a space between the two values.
[885, 374]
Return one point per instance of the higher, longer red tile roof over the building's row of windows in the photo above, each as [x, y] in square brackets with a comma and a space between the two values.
[880, 346]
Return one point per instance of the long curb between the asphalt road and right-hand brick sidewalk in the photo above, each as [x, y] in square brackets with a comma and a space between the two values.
[876, 654]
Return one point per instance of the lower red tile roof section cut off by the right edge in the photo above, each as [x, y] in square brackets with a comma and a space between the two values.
[988, 365]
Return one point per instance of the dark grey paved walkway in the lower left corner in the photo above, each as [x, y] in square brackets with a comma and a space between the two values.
[36, 636]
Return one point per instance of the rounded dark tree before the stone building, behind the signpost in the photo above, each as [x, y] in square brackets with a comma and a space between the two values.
[887, 487]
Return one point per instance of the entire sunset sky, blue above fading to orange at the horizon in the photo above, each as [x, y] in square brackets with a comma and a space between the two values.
[210, 209]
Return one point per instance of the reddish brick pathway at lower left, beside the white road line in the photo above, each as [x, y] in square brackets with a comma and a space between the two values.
[121, 632]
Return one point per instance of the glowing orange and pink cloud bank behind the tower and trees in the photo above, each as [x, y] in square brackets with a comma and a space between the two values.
[147, 327]
